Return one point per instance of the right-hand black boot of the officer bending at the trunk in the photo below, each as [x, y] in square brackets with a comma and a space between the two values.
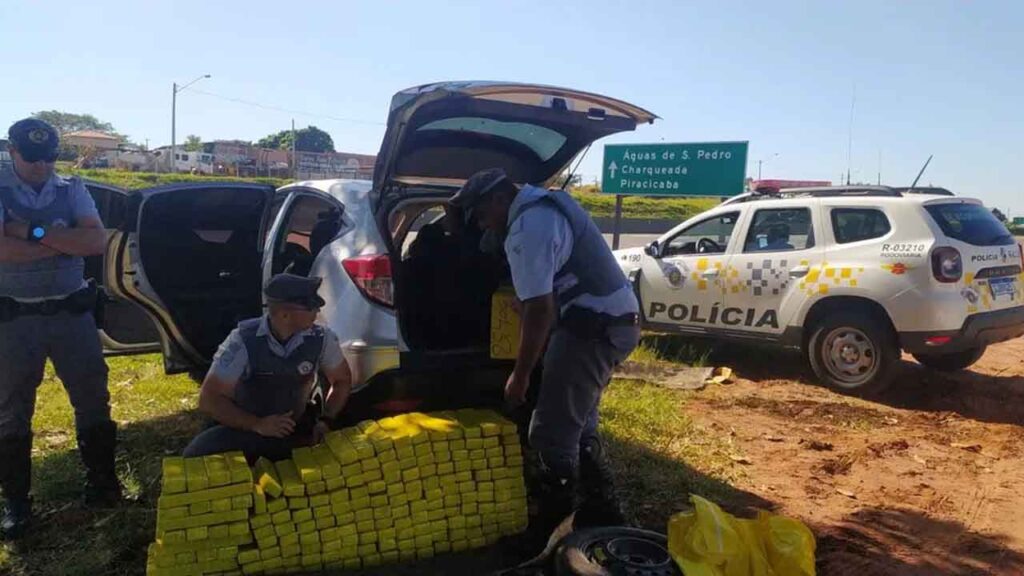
[599, 505]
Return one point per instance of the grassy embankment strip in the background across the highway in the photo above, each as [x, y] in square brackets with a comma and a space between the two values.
[599, 205]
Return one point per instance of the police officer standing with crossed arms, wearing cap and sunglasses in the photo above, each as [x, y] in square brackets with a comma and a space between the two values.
[48, 226]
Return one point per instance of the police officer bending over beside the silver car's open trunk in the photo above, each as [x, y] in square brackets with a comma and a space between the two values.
[576, 300]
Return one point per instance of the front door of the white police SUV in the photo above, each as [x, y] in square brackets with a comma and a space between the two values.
[682, 286]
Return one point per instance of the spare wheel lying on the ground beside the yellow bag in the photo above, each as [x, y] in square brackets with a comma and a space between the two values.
[614, 551]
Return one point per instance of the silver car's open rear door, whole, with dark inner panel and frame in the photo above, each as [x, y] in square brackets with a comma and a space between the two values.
[190, 256]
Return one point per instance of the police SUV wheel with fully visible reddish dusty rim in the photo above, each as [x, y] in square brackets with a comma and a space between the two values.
[855, 353]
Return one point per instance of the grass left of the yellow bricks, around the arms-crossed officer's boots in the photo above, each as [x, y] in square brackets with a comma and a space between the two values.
[157, 418]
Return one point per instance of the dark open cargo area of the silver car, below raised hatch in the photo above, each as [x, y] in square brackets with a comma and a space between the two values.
[443, 281]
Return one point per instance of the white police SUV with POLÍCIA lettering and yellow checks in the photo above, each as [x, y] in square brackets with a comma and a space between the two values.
[851, 276]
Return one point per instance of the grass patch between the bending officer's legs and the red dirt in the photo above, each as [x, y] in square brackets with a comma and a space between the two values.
[661, 457]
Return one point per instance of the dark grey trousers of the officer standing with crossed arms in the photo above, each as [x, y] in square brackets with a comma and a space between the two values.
[72, 343]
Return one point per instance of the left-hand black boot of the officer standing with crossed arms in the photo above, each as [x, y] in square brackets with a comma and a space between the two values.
[16, 480]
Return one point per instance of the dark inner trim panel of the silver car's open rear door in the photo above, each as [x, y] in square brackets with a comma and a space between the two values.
[206, 246]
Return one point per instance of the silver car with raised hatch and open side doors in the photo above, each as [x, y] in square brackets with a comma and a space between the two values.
[411, 304]
